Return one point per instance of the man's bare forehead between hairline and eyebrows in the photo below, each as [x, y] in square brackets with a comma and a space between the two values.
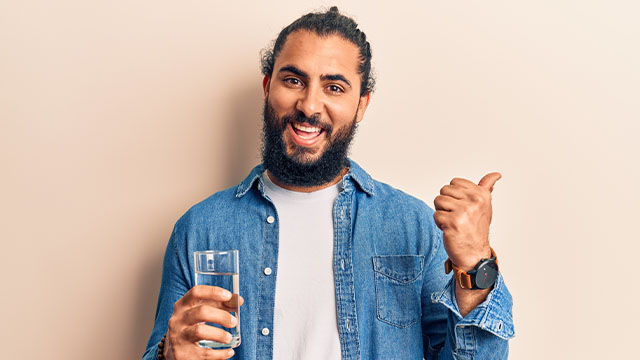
[317, 55]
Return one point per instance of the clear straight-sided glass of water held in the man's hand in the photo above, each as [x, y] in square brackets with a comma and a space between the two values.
[221, 269]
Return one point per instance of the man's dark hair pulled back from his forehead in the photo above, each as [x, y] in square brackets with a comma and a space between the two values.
[324, 24]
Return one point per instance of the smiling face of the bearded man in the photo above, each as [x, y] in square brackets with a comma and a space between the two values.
[313, 98]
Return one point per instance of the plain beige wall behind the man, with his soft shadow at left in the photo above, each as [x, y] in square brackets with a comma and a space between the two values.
[117, 116]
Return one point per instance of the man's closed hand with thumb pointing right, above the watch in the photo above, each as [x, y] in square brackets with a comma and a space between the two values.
[463, 213]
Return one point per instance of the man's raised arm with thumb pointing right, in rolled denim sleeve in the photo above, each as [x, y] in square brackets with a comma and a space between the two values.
[479, 322]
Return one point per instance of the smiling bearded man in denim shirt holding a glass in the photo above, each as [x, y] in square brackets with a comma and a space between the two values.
[359, 265]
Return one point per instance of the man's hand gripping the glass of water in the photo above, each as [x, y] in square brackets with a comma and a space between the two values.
[187, 323]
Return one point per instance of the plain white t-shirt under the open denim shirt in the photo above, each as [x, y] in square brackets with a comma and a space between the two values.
[305, 321]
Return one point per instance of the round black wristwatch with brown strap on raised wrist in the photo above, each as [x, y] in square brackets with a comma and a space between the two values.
[483, 275]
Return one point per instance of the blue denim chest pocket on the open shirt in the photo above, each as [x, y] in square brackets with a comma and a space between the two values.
[398, 287]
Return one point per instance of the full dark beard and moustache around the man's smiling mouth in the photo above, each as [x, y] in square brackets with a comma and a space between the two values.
[299, 168]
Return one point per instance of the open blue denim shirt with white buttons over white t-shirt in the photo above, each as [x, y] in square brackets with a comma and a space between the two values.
[393, 298]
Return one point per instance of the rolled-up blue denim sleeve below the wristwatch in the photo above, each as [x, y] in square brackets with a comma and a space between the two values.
[482, 334]
